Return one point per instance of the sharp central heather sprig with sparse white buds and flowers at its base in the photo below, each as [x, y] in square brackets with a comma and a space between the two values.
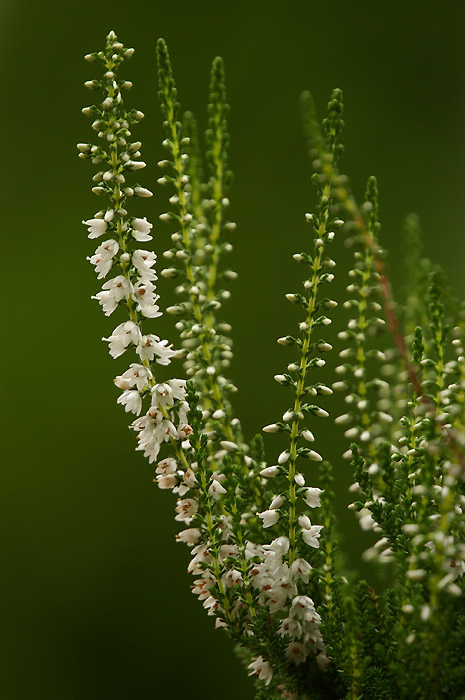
[285, 569]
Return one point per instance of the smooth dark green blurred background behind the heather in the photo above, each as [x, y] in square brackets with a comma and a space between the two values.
[95, 600]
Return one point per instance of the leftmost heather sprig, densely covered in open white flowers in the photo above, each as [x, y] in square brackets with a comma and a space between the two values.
[167, 418]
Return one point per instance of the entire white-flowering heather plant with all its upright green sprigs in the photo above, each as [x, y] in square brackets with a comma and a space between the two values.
[263, 538]
